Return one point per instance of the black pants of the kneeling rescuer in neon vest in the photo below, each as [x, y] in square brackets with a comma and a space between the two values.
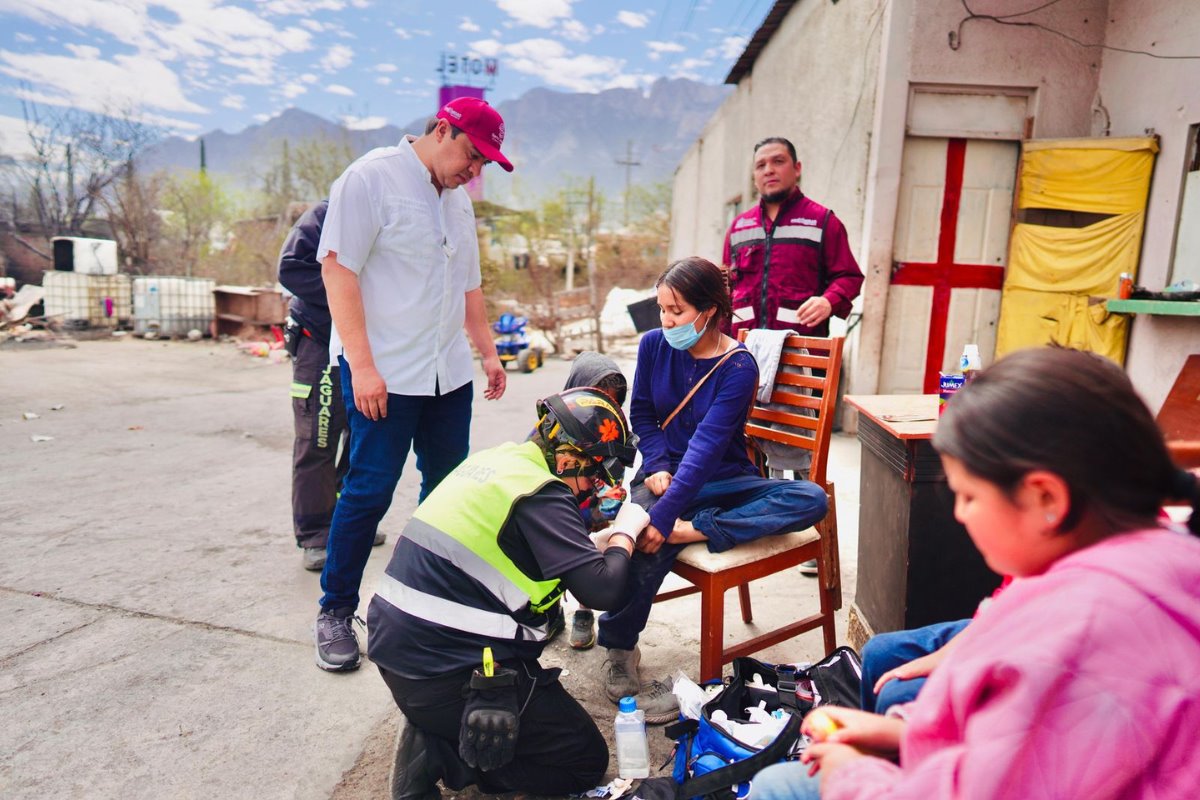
[560, 749]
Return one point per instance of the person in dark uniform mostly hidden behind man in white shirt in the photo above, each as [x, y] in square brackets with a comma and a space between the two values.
[319, 459]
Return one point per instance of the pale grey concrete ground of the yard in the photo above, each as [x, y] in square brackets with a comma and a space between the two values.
[159, 641]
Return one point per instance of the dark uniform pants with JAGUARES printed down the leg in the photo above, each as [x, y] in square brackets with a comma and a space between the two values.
[317, 472]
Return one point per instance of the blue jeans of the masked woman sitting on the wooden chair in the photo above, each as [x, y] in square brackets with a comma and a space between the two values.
[729, 512]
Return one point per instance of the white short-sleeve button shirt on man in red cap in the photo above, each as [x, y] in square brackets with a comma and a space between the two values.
[417, 255]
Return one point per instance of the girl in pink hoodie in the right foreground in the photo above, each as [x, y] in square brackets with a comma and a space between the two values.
[1079, 681]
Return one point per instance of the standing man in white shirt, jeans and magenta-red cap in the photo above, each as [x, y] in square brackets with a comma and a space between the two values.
[400, 260]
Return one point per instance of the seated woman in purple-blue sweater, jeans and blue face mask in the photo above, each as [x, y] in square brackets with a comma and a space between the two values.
[697, 480]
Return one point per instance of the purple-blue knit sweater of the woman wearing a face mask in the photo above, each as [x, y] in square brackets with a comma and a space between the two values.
[706, 441]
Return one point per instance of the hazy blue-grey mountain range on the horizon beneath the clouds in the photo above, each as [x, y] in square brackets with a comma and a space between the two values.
[551, 139]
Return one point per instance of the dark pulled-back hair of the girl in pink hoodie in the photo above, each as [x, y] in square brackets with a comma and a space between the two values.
[1077, 416]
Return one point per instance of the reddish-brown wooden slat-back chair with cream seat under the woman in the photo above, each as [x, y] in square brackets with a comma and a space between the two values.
[713, 574]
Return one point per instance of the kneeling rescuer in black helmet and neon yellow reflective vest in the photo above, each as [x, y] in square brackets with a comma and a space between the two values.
[483, 564]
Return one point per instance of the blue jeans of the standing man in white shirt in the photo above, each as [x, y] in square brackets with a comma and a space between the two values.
[436, 428]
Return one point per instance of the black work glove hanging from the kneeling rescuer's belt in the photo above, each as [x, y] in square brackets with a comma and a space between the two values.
[491, 719]
